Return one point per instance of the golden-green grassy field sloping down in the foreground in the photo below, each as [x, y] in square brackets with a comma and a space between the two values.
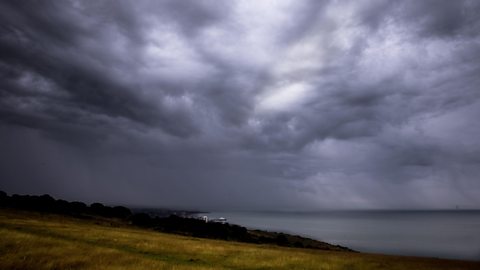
[35, 241]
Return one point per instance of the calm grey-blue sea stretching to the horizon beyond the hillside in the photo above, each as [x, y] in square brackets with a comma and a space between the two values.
[444, 234]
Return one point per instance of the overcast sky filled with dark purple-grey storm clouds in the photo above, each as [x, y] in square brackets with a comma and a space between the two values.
[242, 105]
